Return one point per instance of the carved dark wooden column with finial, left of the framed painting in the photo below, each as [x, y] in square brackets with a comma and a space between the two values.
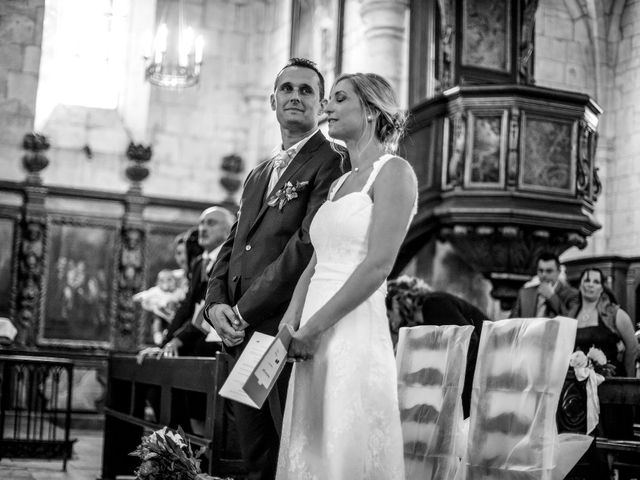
[33, 231]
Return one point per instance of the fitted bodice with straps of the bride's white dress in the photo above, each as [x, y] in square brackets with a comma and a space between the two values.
[340, 230]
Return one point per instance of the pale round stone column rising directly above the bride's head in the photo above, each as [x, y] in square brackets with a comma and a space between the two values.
[384, 22]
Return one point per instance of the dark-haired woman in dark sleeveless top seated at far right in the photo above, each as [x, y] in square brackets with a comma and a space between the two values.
[603, 324]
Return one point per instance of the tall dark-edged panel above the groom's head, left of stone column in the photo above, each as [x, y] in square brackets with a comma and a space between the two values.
[316, 34]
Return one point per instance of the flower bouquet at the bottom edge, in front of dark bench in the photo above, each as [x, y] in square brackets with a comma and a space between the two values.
[167, 455]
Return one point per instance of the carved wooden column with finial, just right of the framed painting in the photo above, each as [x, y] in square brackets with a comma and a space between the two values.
[131, 267]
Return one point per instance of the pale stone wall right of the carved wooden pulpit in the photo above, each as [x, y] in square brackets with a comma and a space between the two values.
[598, 53]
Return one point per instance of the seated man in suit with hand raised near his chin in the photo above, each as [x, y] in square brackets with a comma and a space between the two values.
[547, 298]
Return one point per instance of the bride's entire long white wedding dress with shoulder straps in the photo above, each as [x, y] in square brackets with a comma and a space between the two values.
[341, 419]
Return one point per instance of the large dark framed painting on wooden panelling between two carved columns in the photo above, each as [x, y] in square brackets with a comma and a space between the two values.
[79, 295]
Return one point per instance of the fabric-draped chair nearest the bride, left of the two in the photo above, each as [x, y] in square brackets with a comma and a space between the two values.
[431, 364]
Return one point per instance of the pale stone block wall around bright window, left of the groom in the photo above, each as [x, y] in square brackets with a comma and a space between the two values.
[190, 130]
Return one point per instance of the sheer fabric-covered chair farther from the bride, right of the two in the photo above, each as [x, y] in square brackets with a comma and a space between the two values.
[521, 368]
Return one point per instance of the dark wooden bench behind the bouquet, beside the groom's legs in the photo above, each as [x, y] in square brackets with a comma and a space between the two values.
[163, 384]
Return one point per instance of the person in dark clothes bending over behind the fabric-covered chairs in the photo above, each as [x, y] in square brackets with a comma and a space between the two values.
[410, 302]
